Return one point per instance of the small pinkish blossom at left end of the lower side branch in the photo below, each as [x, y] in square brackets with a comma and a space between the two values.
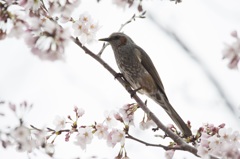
[116, 136]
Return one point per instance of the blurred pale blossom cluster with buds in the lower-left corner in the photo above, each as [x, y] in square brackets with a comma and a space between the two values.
[21, 136]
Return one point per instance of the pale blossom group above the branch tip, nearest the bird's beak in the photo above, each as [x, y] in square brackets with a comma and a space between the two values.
[85, 28]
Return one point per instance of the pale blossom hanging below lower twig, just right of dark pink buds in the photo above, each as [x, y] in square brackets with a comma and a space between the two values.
[84, 137]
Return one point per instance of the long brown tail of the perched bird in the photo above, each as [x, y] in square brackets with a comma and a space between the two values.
[163, 102]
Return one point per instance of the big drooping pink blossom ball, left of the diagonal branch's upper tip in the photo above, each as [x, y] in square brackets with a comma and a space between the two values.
[50, 43]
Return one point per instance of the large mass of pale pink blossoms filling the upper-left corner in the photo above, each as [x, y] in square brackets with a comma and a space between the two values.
[40, 23]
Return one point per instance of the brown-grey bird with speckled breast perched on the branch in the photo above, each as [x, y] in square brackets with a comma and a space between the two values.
[139, 71]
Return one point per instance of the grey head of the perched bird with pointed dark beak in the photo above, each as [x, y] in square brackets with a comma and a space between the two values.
[117, 39]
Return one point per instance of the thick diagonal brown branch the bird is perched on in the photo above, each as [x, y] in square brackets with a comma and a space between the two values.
[179, 141]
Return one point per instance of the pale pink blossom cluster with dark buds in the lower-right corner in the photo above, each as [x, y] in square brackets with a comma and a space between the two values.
[218, 142]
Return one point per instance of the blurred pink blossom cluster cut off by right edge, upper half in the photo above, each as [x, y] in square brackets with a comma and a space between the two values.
[232, 51]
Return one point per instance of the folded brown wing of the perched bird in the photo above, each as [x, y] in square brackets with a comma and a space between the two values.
[148, 65]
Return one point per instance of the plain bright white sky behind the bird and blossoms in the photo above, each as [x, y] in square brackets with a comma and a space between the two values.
[56, 87]
